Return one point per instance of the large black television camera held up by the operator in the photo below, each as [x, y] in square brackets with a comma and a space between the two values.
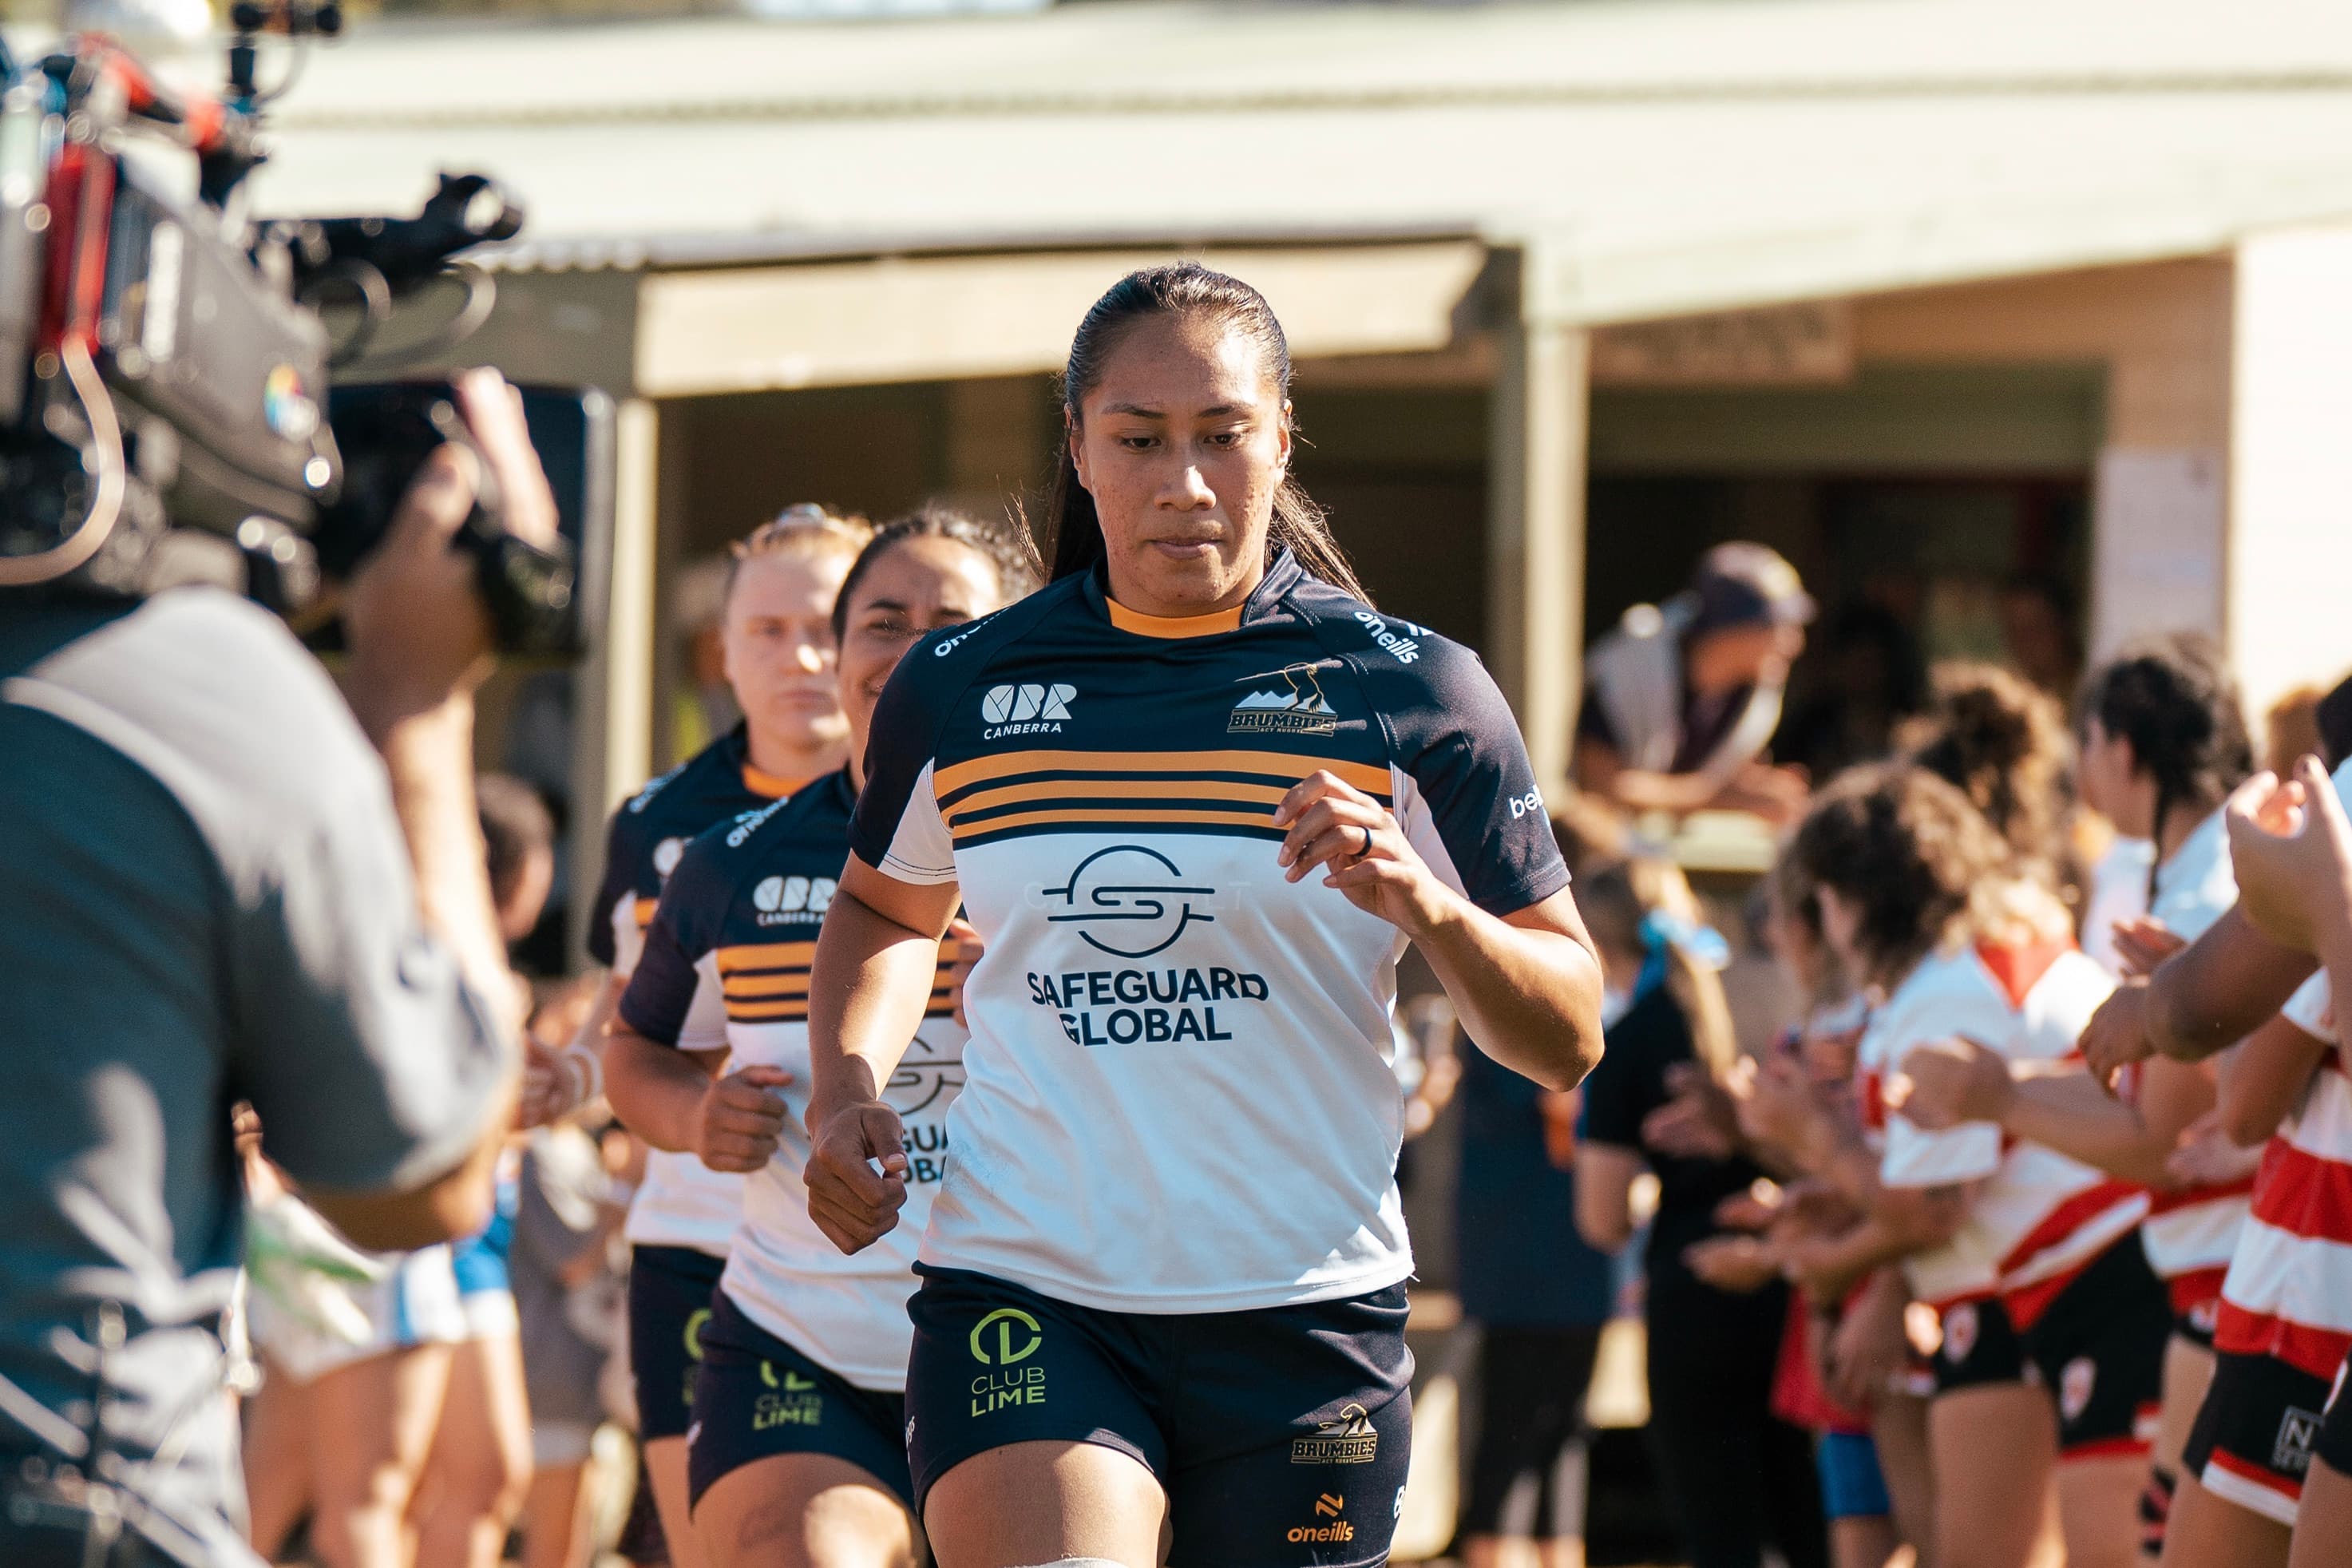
[166, 363]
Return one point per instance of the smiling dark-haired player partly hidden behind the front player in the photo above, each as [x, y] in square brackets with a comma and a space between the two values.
[799, 1449]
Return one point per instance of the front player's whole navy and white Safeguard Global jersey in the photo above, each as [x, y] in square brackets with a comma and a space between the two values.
[1180, 1073]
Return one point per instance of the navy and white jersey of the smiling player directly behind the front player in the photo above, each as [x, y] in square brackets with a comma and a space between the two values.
[728, 970]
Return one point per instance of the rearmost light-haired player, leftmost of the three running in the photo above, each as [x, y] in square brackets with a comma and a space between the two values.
[777, 634]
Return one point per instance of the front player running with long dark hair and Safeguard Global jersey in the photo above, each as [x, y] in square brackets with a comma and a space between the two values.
[1196, 796]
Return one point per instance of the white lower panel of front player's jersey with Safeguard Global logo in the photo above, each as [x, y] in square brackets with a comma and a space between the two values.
[1147, 1019]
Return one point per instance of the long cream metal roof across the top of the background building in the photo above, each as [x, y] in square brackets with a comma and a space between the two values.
[1676, 156]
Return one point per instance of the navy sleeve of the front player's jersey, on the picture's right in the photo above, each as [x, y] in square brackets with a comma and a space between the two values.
[1464, 753]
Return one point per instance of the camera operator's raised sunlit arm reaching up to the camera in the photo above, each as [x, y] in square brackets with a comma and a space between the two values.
[420, 648]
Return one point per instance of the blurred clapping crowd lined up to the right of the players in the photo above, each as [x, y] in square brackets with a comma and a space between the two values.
[1970, 1264]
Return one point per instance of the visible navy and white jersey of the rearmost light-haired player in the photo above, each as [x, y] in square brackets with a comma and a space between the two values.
[683, 1202]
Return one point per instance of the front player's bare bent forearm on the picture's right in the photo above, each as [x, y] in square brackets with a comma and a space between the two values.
[1532, 1000]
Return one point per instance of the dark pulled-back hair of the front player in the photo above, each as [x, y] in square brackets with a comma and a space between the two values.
[1074, 535]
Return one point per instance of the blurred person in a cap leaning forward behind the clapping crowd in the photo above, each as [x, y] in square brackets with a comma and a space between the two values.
[1683, 697]
